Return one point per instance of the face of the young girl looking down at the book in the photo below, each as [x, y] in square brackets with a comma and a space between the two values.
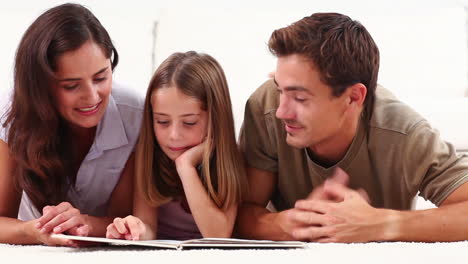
[179, 121]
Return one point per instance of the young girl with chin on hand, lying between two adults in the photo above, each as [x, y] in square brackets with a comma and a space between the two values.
[189, 172]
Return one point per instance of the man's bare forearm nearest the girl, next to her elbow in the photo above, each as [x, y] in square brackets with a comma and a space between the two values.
[256, 222]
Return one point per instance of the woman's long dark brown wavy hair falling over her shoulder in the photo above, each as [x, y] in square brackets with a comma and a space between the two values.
[37, 136]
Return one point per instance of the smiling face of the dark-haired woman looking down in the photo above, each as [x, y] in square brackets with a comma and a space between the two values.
[84, 81]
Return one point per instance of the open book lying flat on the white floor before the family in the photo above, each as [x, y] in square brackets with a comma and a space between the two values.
[192, 243]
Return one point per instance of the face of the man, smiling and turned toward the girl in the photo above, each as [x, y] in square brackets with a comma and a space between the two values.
[312, 116]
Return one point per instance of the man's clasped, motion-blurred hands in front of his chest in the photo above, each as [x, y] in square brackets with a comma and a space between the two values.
[348, 218]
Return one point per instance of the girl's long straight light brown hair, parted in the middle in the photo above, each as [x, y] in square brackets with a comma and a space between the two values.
[223, 173]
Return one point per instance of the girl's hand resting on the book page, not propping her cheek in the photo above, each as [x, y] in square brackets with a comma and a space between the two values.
[128, 228]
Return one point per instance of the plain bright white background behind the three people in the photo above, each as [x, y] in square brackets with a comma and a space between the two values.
[422, 42]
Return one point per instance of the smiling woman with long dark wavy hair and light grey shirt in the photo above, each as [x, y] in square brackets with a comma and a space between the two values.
[66, 144]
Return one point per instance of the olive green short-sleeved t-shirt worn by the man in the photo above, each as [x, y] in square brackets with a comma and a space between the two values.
[392, 158]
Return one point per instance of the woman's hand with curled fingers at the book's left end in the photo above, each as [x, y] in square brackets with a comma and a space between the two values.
[63, 218]
